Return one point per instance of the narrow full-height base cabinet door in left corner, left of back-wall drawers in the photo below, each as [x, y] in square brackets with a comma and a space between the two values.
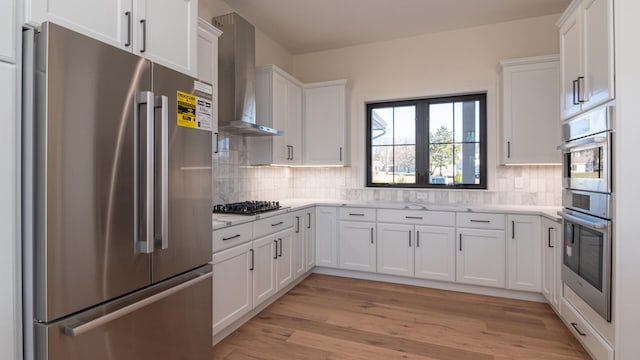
[326, 237]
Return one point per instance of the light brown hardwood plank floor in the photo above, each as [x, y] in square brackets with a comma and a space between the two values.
[328, 317]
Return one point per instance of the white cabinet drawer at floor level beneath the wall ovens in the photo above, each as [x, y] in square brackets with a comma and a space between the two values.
[592, 341]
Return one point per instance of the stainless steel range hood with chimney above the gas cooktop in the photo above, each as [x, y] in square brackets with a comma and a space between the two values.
[237, 78]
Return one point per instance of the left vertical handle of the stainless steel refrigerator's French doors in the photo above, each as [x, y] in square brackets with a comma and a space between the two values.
[145, 245]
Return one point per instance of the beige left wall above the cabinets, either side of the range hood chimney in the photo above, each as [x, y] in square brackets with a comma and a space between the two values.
[267, 50]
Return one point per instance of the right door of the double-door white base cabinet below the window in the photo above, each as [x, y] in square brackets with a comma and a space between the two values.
[435, 253]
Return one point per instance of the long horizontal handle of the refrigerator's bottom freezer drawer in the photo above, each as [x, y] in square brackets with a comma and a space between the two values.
[90, 325]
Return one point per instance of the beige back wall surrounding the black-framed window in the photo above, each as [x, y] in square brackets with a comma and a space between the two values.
[436, 64]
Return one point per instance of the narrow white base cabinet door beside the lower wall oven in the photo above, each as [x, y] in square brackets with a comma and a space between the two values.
[551, 263]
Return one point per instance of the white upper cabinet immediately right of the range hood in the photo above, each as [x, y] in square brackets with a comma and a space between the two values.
[278, 105]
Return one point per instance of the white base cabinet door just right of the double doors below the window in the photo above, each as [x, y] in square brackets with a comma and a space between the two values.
[480, 258]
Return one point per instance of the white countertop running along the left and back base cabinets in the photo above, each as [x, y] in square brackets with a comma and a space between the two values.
[224, 220]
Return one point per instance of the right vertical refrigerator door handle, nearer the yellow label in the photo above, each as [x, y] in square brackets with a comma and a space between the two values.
[163, 103]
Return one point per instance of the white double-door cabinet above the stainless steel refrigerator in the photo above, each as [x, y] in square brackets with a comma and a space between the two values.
[164, 32]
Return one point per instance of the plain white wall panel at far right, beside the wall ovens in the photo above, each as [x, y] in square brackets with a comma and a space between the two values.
[626, 287]
